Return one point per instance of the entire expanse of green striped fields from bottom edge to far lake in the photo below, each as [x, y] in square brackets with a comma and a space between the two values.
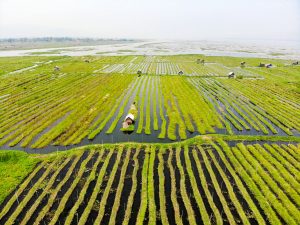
[205, 149]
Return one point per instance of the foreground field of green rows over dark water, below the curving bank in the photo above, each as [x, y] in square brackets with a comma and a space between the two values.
[207, 181]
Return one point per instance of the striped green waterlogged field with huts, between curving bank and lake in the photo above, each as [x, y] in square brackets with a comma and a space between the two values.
[78, 100]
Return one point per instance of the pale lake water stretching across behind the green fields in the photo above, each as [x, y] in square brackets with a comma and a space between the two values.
[236, 48]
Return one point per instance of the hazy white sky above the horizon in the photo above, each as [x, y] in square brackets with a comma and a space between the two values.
[152, 19]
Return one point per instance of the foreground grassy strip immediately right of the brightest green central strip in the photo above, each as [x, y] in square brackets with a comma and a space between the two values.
[162, 197]
